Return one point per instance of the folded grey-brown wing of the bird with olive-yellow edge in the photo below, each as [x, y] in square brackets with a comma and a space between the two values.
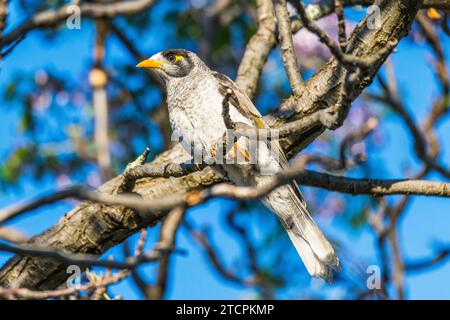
[246, 107]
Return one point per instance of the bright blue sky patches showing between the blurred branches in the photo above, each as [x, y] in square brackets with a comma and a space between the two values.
[427, 219]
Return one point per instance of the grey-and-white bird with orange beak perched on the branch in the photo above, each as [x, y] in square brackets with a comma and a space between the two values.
[195, 96]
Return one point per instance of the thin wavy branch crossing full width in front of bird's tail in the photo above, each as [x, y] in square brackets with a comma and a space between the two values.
[150, 210]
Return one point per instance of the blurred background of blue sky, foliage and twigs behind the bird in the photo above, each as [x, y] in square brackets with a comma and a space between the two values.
[74, 110]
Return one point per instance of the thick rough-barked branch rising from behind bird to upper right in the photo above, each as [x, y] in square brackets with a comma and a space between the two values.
[325, 87]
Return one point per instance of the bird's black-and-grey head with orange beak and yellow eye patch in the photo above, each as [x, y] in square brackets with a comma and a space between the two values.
[173, 63]
